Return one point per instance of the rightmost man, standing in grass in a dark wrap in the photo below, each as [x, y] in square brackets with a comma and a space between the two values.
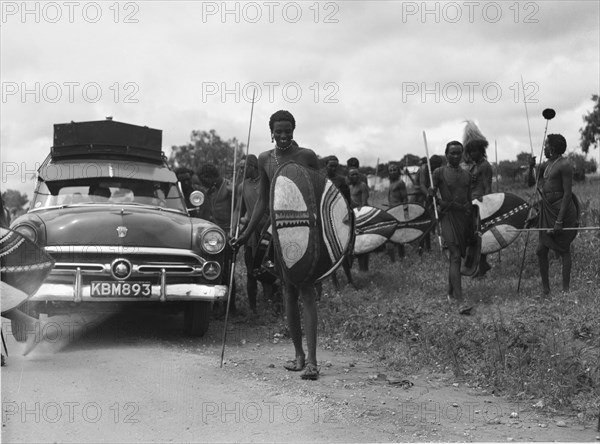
[558, 209]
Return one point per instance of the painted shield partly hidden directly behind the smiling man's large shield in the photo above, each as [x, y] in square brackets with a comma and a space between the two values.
[373, 228]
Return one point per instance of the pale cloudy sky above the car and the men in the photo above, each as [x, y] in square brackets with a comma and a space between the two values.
[362, 78]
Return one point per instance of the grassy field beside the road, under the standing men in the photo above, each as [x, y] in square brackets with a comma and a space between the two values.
[513, 343]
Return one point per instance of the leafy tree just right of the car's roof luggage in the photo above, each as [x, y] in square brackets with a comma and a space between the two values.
[206, 147]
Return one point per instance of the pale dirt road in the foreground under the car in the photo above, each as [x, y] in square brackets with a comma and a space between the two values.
[122, 379]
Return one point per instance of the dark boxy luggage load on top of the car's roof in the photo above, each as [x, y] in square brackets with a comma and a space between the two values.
[106, 138]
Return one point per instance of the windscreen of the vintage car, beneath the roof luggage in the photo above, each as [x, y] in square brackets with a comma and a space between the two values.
[117, 191]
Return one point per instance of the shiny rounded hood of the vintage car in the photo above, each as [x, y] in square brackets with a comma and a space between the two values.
[116, 225]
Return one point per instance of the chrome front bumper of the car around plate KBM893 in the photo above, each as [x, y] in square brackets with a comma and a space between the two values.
[163, 293]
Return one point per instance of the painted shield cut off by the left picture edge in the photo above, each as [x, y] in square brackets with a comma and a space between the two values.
[23, 267]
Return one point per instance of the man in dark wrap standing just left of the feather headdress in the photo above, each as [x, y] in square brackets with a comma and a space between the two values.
[454, 185]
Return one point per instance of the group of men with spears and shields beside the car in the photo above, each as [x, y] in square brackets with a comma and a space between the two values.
[450, 186]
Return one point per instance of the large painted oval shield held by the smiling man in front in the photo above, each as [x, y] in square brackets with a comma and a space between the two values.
[313, 227]
